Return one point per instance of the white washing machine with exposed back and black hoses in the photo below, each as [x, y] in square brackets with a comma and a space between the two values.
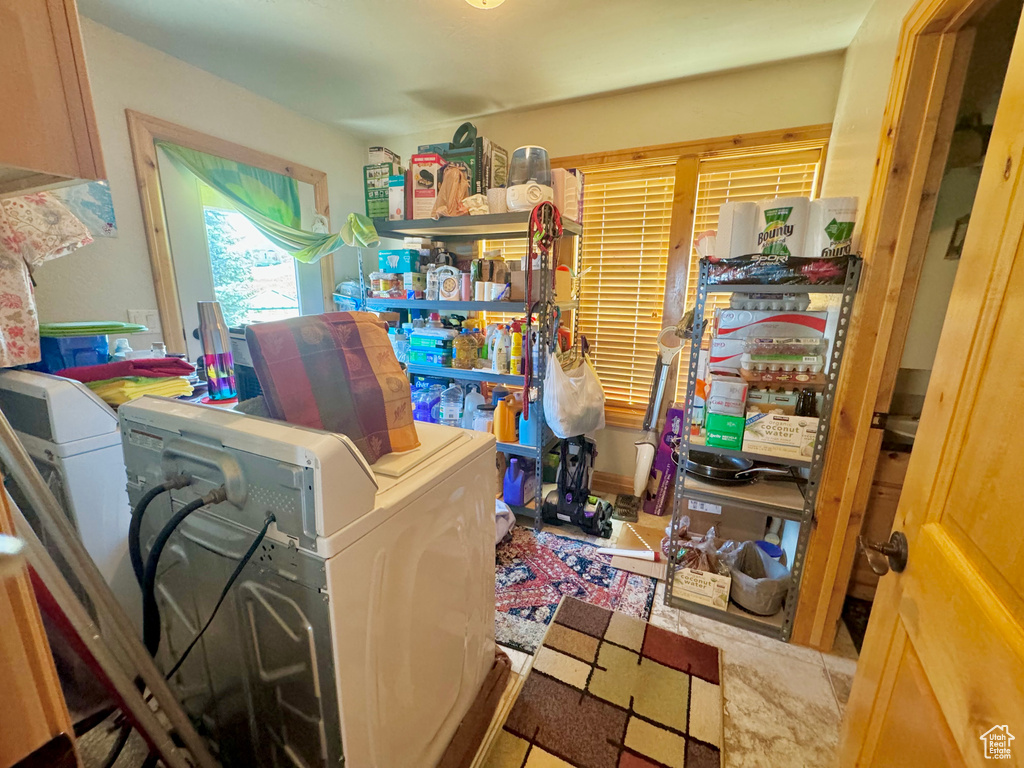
[364, 629]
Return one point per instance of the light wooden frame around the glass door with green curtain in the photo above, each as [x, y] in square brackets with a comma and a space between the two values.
[144, 133]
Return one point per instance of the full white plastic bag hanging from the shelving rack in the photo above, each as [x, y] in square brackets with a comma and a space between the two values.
[574, 401]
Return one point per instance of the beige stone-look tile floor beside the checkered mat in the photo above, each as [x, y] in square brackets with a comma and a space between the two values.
[784, 703]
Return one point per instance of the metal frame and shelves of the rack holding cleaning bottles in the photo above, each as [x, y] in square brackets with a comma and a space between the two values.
[490, 227]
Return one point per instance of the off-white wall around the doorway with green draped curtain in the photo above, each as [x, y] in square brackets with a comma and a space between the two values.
[107, 279]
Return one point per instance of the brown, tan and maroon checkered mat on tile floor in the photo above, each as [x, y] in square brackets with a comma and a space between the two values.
[608, 691]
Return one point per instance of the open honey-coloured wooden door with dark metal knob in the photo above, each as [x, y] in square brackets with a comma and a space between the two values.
[942, 677]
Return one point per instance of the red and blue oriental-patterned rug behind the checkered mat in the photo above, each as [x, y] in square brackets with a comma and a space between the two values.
[535, 571]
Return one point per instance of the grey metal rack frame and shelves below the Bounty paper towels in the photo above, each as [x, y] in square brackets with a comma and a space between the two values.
[791, 502]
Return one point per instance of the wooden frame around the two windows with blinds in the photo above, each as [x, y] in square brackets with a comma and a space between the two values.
[689, 156]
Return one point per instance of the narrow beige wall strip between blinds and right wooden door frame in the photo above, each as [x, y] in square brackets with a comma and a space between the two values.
[858, 125]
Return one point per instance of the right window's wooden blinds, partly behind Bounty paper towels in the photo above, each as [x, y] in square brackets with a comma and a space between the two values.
[749, 176]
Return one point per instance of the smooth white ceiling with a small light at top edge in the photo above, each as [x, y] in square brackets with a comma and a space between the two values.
[383, 68]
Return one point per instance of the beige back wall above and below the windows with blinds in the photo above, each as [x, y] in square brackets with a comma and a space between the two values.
[782, 96]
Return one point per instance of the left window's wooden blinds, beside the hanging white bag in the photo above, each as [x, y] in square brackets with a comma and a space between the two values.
[626, 225]
